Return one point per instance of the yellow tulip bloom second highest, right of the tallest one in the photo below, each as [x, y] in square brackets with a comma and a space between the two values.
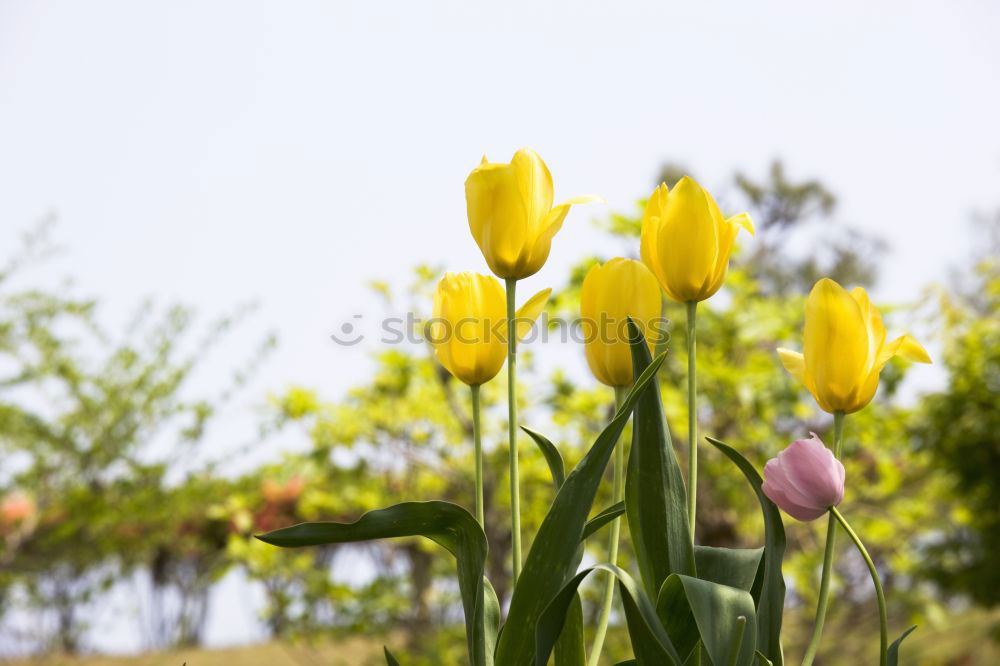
[686, 241]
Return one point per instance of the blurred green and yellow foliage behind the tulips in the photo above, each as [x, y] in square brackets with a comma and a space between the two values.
[96, 435]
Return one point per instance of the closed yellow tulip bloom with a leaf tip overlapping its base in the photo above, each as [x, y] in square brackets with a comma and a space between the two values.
[612, 292]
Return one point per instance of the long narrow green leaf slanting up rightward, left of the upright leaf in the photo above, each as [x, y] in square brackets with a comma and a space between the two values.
[554, 553]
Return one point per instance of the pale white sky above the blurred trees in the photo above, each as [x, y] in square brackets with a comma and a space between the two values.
[217, 152]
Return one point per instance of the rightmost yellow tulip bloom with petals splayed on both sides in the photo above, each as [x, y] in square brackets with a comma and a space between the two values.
[845, 348]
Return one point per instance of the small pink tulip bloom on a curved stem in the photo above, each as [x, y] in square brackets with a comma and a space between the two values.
[805, 479]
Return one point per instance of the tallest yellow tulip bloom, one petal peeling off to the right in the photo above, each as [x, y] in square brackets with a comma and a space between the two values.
[511, 214]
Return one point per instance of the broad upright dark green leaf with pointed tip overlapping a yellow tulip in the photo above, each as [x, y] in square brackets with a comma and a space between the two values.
[655, 500]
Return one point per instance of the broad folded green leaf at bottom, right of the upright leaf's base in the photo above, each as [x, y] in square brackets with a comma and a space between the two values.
[693, 609]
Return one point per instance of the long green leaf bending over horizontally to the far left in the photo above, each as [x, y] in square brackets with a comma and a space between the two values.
[447, 524]
